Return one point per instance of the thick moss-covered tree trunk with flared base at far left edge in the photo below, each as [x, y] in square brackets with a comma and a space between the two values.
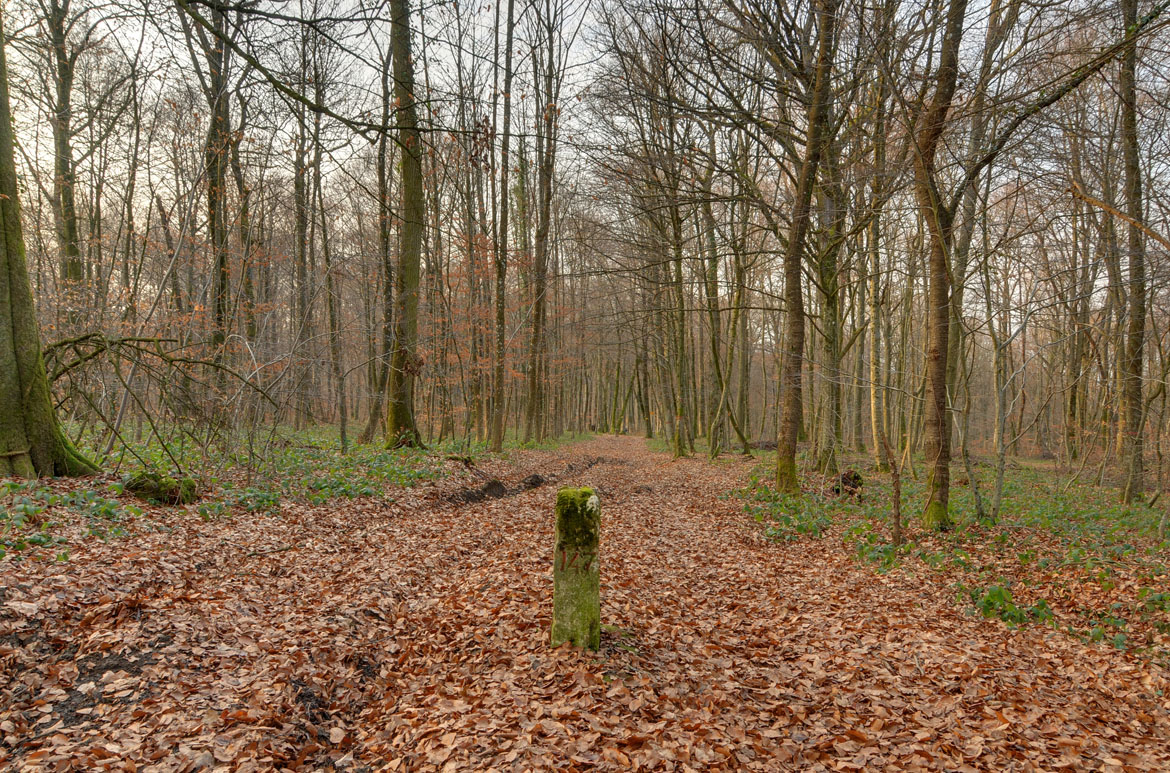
[32, 443]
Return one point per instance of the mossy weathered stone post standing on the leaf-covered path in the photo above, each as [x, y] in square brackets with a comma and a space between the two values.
[576, 570]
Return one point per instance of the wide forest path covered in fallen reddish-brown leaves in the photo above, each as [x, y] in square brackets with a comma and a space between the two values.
[414, 637]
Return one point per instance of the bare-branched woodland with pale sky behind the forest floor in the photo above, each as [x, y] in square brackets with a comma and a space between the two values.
[938, 224]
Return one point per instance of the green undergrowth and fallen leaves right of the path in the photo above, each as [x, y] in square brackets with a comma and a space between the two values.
[1062, 556]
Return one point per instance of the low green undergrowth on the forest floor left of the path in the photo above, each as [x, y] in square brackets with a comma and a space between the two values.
[246, 477]
